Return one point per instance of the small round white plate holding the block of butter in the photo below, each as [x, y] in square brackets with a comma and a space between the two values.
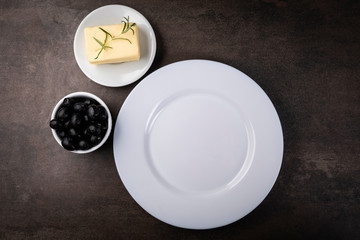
[118, 74]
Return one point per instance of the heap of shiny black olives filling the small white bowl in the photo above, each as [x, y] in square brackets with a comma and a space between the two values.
[80, 123]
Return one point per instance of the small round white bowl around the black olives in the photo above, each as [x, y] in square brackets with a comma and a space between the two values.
[88, 95]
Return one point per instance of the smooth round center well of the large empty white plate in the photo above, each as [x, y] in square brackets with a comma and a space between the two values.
[197, 141]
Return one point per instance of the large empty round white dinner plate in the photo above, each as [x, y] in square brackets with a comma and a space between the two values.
[198, 144]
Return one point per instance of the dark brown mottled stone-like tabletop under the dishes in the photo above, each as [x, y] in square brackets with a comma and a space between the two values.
[304, 54]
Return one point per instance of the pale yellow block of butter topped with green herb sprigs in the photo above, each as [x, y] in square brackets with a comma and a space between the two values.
[120, 50]
